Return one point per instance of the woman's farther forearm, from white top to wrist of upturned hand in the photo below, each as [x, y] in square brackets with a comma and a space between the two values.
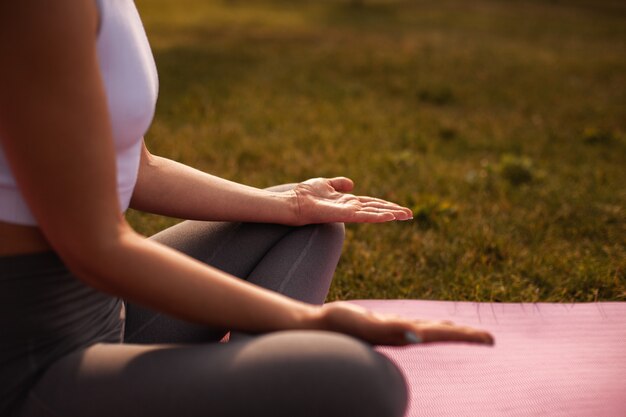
[169, 188]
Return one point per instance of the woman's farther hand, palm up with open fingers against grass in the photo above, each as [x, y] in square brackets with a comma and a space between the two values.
[324, 200]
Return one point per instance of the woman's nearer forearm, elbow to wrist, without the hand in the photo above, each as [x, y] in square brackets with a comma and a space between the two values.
[156, 276]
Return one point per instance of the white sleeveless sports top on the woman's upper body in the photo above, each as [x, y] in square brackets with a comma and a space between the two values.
[131, 86]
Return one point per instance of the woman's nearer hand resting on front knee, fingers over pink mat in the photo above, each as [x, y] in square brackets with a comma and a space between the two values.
[392, 330]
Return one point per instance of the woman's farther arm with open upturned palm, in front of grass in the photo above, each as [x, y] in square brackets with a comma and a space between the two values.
[173, 189]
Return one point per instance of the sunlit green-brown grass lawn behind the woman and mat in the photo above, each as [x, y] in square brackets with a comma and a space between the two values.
[501, 123]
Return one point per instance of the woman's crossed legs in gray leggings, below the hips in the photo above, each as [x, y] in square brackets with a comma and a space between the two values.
[167, 367]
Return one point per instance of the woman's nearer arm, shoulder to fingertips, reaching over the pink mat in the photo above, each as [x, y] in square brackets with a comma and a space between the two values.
[55, 131]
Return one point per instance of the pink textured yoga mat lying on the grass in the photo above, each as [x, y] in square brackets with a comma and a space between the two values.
[549, 360]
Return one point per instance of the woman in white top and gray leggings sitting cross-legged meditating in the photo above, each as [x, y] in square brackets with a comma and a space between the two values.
[77, 92]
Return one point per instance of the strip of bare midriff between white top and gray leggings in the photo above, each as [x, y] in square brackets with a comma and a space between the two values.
[18, 240]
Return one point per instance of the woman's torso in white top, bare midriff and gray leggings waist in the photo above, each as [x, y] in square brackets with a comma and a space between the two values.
[45, 311]
